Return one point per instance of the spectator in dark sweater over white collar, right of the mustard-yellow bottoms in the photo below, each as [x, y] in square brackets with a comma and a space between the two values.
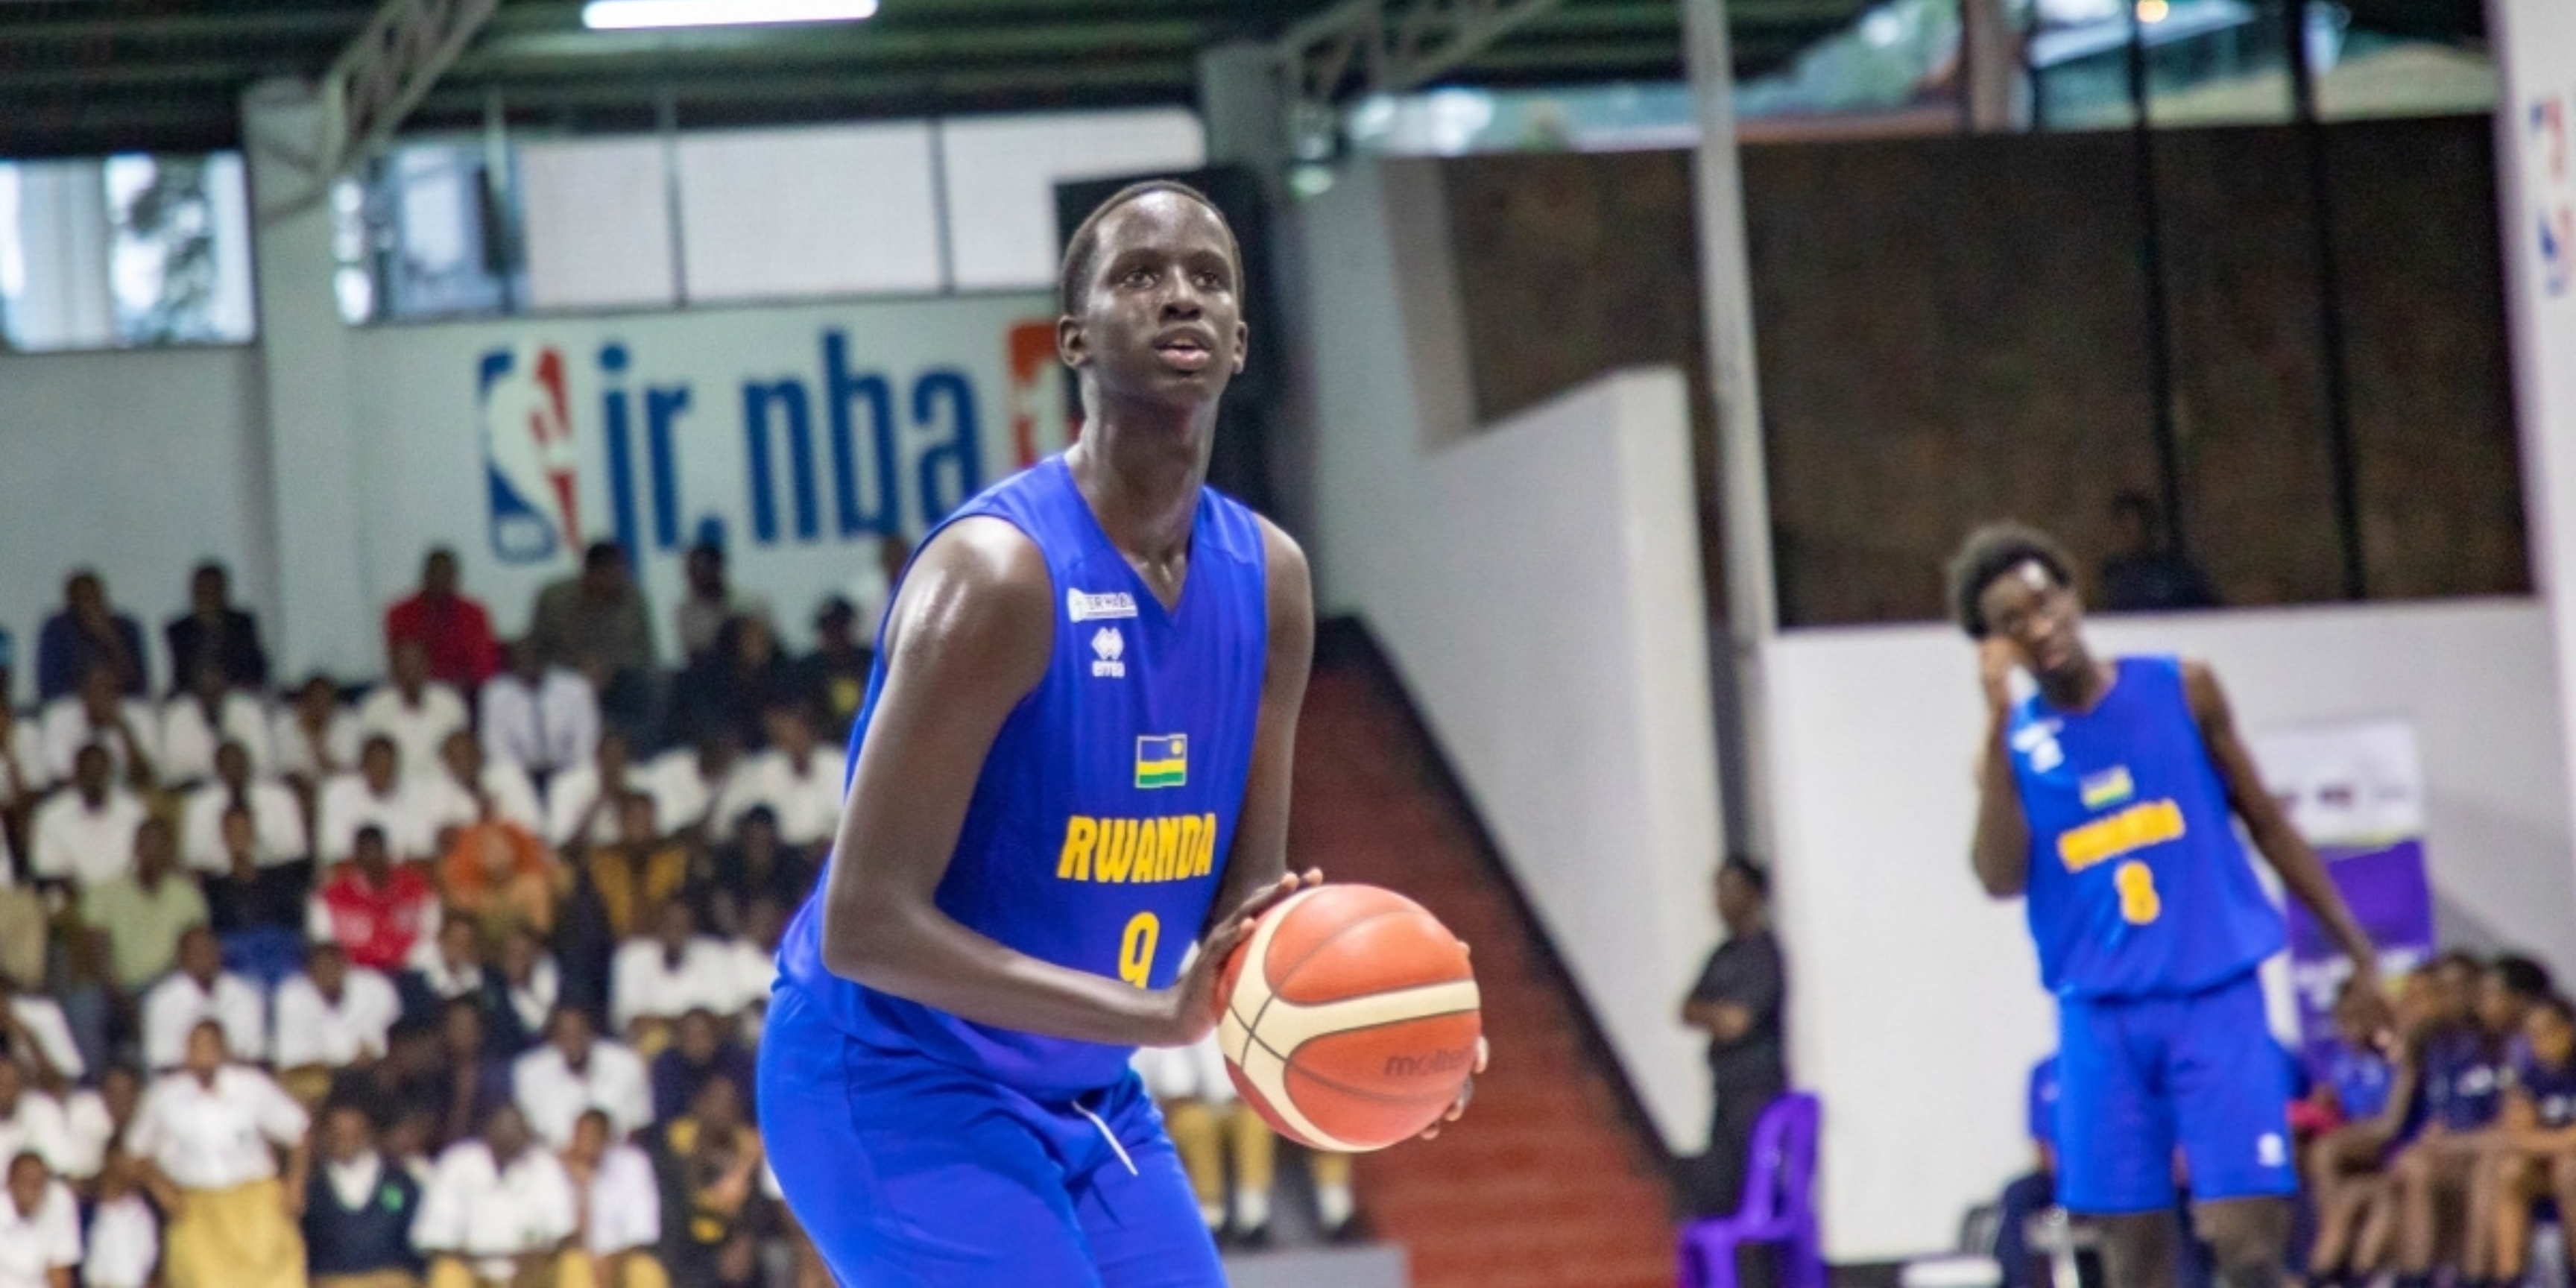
[359, 1209]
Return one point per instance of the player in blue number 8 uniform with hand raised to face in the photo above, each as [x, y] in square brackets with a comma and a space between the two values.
[2108, 800]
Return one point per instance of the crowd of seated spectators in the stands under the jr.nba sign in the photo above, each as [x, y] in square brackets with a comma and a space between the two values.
[439, 980]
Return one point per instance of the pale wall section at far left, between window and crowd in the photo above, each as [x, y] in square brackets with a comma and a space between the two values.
[135, 465]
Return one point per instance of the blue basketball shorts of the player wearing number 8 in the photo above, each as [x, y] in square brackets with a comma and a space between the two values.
[2145, 1078]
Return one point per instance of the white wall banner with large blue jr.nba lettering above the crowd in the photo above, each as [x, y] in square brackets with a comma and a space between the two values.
[797, 437]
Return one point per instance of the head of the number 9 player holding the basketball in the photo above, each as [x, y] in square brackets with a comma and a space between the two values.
[1153, 300]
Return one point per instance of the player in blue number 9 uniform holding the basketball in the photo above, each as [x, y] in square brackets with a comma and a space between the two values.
[1073, 748]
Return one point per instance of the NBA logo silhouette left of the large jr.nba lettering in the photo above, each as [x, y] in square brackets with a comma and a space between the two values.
[529, 460]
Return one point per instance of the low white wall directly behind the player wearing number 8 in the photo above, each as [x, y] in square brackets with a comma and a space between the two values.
[1915, 1001]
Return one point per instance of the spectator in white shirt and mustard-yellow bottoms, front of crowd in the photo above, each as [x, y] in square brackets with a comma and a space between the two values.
[215, 1132]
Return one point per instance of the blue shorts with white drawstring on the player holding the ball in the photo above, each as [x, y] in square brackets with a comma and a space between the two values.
[911, 1173]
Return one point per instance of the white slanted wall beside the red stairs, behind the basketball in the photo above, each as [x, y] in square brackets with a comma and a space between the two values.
[1539, 589]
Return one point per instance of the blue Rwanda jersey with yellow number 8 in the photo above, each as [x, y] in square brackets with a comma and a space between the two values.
[2137, 880]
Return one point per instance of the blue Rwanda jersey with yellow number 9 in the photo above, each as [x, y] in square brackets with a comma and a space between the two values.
[1101, 820]
